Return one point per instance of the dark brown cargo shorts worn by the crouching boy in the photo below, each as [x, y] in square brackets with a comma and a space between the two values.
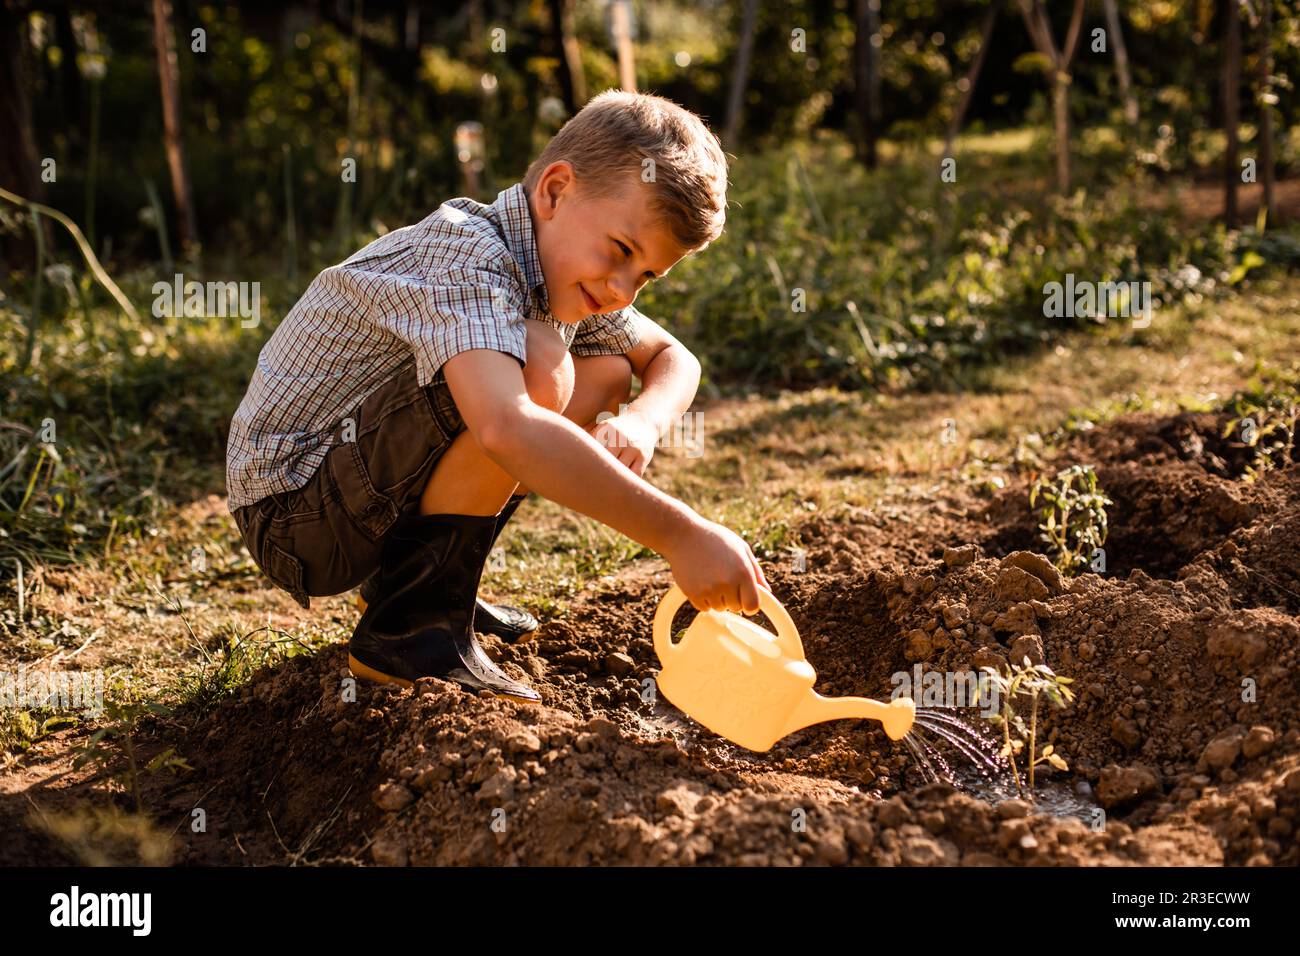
[327, 537]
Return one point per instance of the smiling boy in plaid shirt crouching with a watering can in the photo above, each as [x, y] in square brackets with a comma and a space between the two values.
[422, 388]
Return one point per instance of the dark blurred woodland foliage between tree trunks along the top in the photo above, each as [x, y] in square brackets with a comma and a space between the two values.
[283, 92]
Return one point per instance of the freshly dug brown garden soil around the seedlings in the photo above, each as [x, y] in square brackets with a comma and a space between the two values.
[1198, 609]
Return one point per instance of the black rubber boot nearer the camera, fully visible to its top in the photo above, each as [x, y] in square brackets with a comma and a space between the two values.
[421, 622]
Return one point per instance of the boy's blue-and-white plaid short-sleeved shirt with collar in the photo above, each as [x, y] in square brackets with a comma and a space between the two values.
[466, 278]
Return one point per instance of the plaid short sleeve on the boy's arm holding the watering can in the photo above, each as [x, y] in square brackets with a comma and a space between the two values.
[452, 312]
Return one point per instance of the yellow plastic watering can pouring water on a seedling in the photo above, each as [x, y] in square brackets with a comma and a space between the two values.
[749, 686]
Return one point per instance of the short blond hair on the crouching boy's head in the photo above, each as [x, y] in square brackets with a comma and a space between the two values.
[612, 139]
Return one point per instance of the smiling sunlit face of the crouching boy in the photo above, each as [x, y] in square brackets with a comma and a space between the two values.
[597, 254]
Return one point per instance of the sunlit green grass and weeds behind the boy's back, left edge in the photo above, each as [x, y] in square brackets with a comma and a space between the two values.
[105, 430]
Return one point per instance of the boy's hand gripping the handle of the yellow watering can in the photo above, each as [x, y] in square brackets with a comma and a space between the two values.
[717, 570]
